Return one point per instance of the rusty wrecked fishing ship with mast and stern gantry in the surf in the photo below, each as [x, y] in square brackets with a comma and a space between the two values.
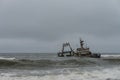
[79, 52]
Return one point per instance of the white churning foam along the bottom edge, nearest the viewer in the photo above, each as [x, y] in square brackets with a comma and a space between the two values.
[102, 74]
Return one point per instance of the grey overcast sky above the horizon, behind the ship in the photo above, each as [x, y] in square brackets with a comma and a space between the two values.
[43, 25]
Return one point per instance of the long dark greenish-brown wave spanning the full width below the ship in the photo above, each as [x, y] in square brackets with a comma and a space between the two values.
[43, 63]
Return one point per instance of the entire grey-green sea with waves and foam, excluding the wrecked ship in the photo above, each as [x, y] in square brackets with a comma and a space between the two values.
[47, 66]
